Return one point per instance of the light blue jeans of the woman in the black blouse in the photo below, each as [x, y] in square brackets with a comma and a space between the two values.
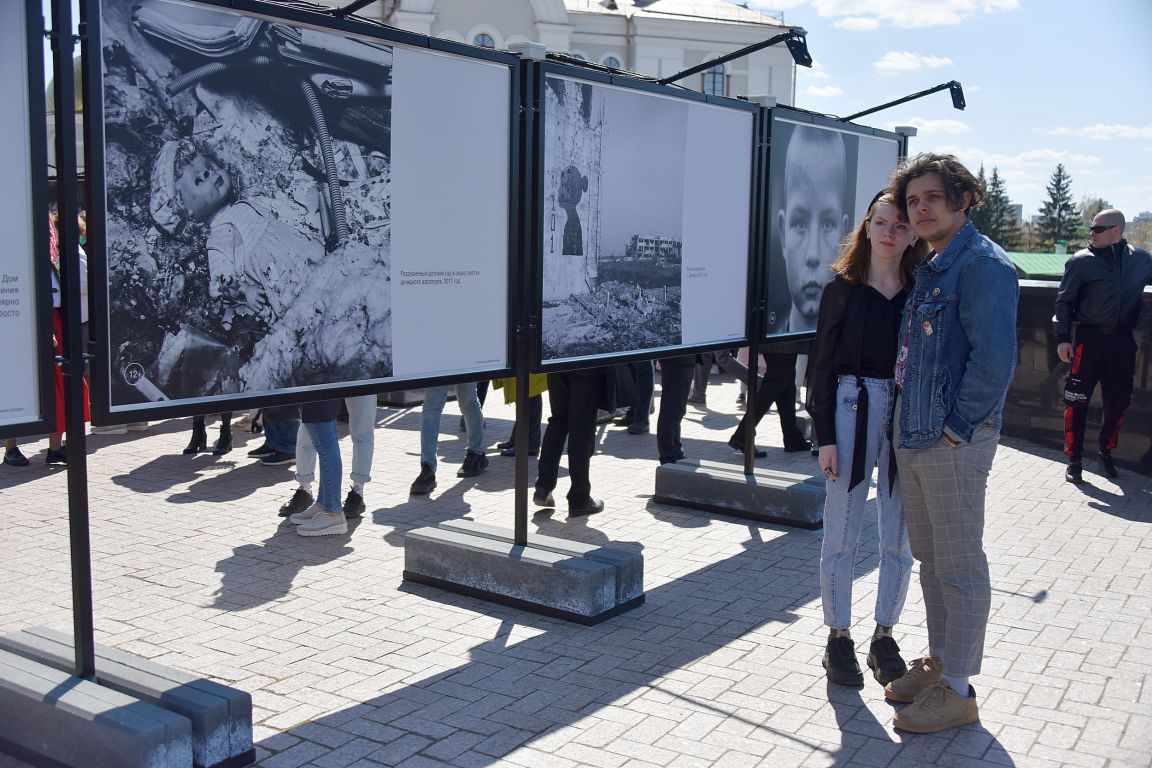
[844, 512]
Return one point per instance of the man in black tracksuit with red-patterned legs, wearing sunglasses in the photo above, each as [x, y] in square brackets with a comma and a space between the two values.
[1102, 293]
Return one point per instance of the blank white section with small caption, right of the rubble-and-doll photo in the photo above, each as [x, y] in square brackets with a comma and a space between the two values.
[451, 123]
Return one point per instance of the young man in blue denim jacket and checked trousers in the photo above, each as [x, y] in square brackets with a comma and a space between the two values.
[956, 362]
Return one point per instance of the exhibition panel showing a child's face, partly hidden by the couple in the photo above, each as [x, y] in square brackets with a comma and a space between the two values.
[822, 181]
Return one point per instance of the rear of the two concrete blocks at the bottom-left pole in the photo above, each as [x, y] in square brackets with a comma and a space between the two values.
[221, 717]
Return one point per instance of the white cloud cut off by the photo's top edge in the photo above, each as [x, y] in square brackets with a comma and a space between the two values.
[868, 16]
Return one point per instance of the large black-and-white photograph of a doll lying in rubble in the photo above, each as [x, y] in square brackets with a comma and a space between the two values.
[247, 172]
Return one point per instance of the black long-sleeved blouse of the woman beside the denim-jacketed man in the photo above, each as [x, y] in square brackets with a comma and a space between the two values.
[858, 333]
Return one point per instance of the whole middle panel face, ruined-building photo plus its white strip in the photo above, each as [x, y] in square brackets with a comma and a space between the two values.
[647, 222]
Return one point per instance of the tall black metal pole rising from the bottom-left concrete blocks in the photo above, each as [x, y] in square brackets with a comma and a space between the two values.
[72, 363]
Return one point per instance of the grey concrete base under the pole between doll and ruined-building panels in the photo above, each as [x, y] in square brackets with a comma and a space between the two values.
[567, 580]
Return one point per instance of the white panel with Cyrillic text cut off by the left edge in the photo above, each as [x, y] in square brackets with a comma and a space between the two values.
[19, 387]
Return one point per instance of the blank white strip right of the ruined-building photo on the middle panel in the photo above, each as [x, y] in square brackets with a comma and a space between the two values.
[718, 184]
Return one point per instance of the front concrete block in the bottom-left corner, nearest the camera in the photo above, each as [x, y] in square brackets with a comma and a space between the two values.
[54, 718]
